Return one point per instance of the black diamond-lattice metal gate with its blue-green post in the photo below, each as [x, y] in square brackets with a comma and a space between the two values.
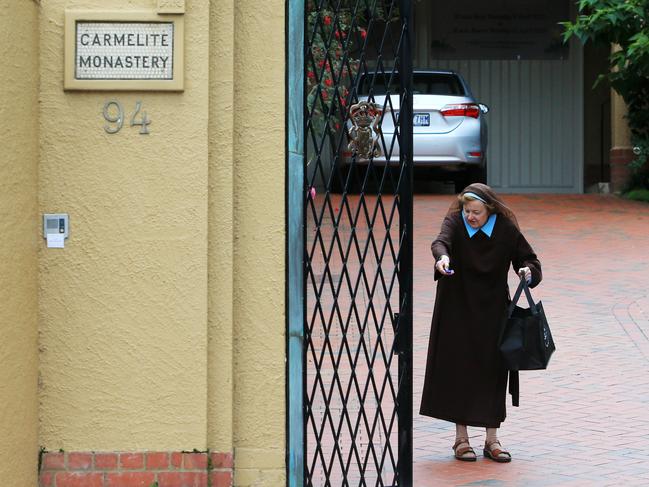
[349, 252]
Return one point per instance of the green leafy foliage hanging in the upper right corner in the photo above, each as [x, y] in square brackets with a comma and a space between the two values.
[624, 23]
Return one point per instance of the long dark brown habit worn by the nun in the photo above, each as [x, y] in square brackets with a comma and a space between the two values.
[465, 378]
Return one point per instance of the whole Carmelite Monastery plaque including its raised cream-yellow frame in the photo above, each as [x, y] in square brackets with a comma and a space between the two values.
[123, 51]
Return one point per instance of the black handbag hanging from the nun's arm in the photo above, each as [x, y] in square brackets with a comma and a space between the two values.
[526, 341]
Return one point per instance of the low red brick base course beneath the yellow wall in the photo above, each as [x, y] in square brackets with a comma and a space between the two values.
[143, 469]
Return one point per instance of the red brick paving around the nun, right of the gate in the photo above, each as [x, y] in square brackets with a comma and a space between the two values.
[584, 421]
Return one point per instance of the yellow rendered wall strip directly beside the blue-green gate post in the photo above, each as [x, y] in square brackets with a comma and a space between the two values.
[259, 230]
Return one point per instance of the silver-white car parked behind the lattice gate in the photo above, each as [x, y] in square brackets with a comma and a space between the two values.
[449, 127]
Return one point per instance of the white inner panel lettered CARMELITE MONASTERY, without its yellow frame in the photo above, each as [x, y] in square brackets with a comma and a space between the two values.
[124, 50]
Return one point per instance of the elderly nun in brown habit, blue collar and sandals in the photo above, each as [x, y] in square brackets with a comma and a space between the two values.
[466, 379]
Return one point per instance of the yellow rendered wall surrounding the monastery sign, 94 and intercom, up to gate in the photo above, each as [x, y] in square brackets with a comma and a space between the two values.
[162, 321]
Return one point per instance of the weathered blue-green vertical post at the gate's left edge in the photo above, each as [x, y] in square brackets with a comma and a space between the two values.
[295, 210]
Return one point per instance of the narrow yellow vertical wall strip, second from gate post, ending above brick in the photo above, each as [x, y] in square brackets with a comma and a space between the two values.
[221, 221]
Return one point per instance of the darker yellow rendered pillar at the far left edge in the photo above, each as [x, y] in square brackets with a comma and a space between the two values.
[18, 244]
